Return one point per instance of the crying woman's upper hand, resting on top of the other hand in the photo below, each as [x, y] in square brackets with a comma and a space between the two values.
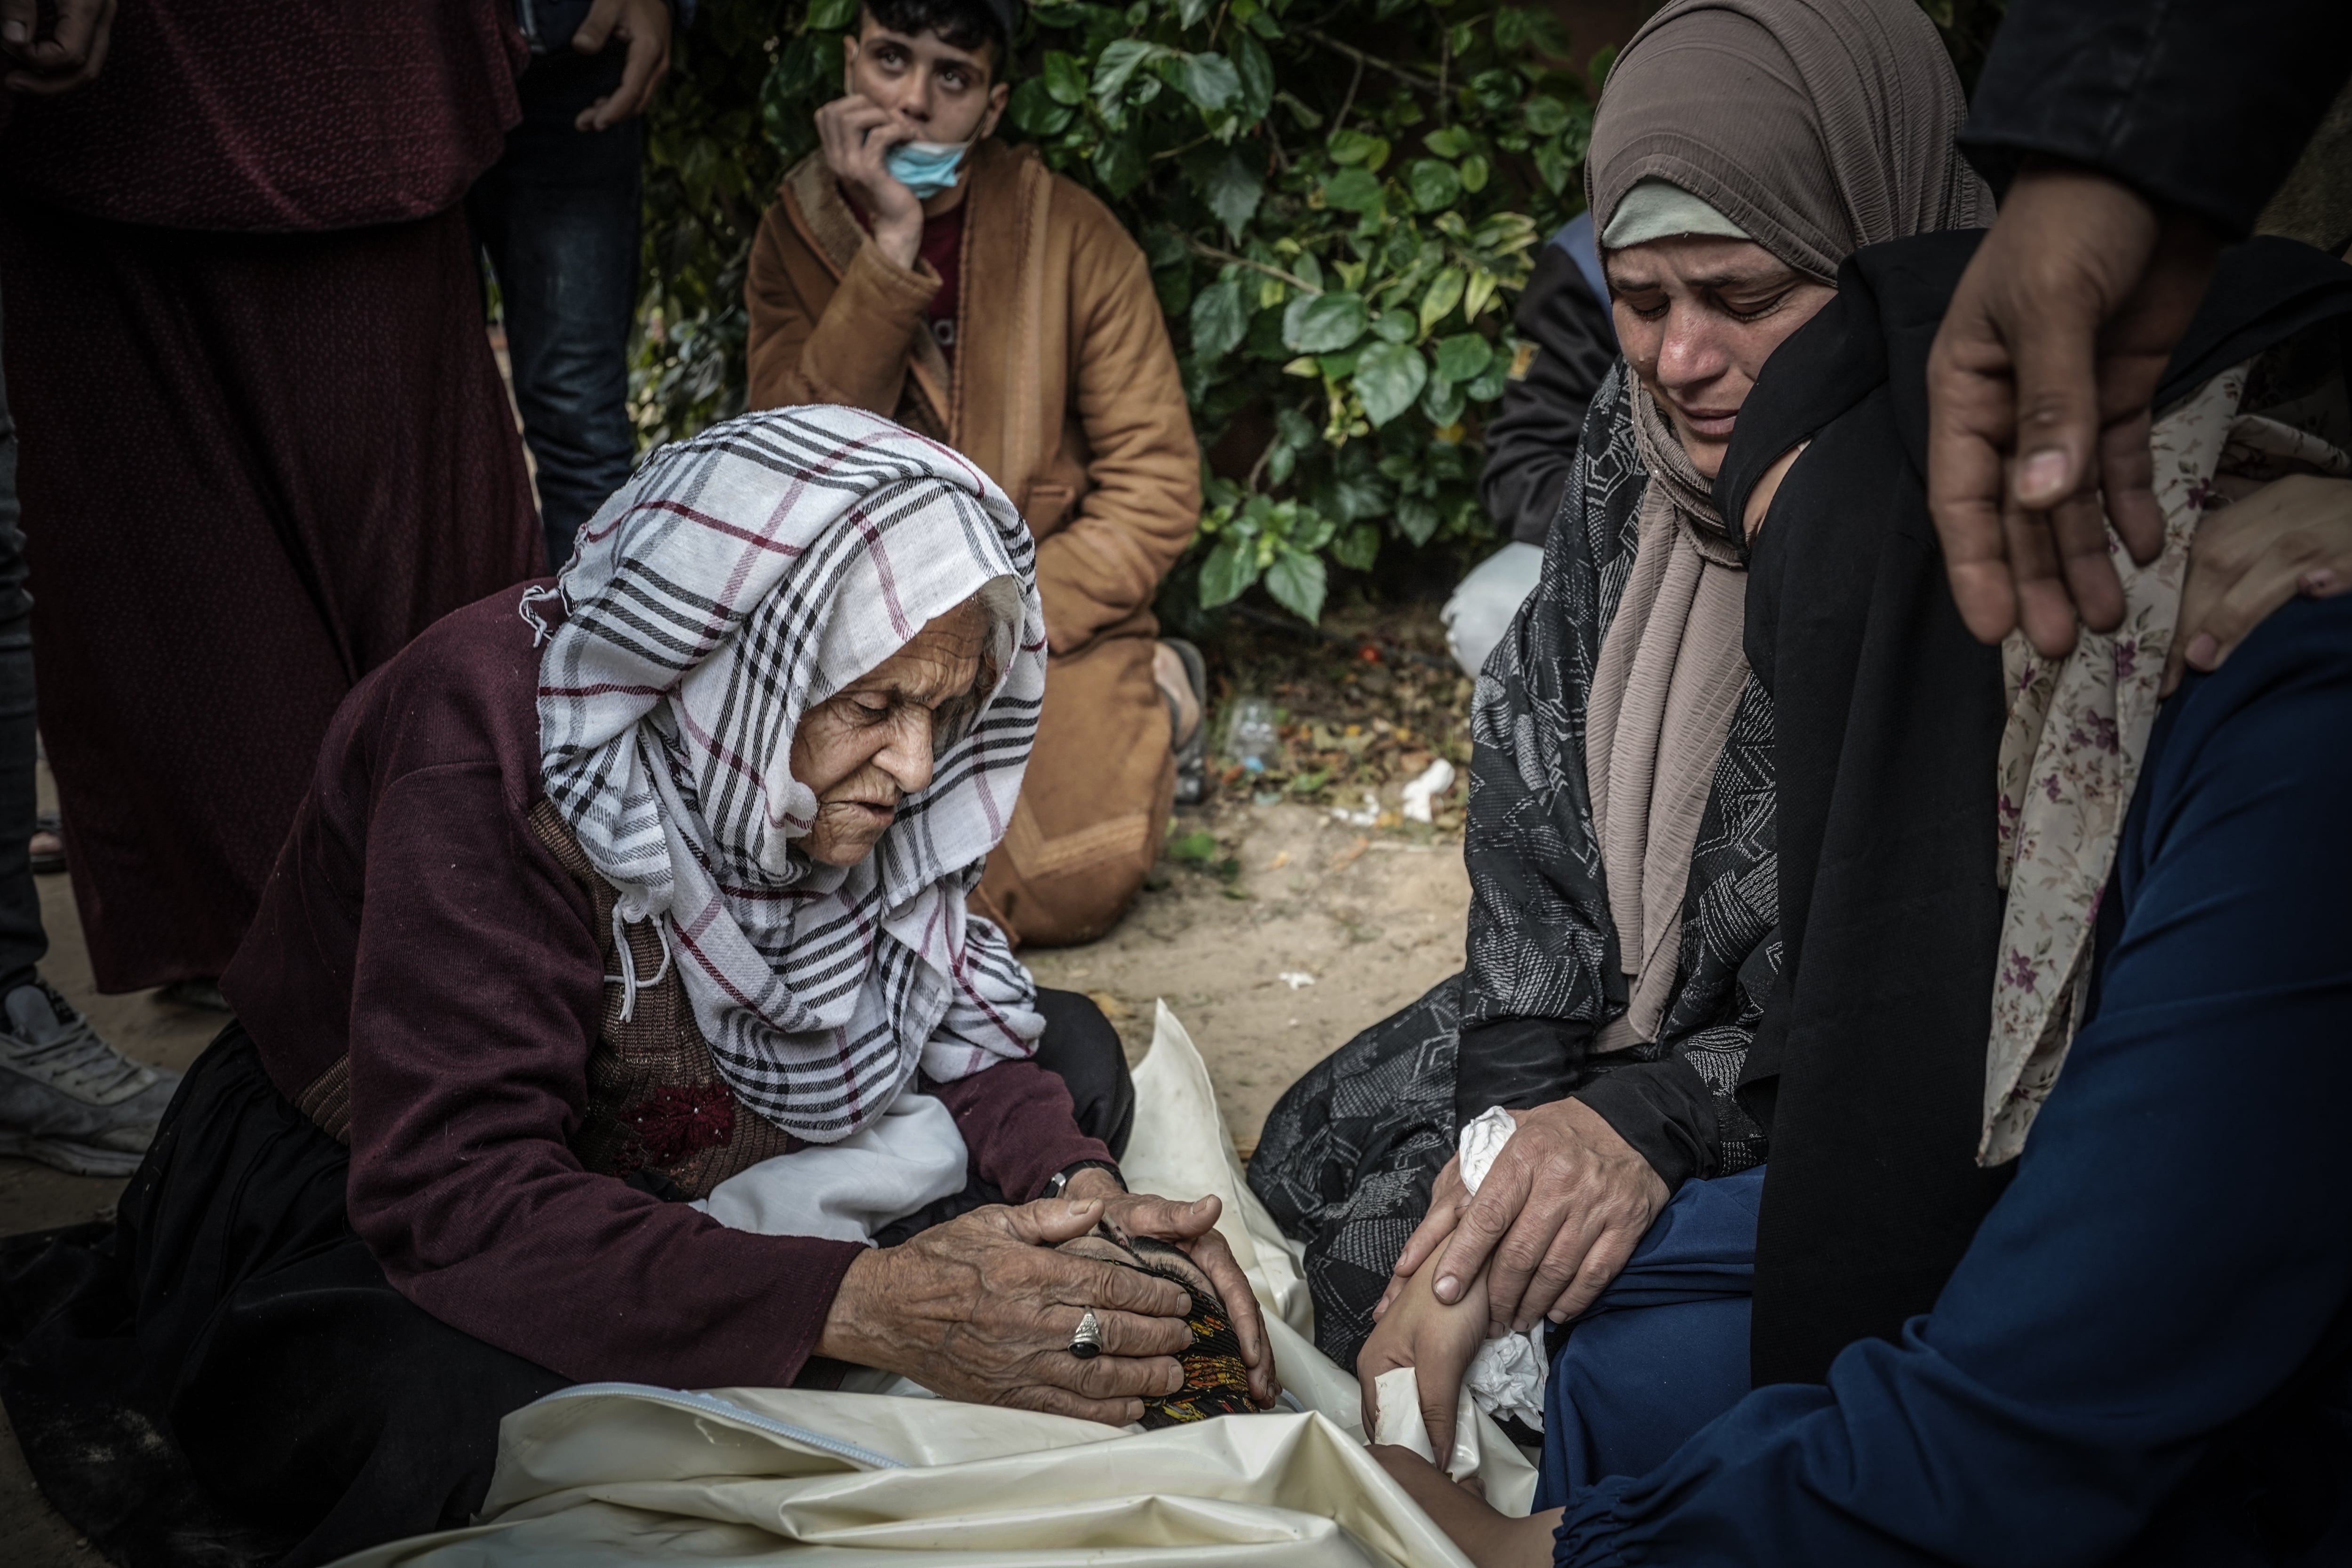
[1558, 1214]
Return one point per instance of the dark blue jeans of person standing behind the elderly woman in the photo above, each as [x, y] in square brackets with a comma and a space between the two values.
[559, 217]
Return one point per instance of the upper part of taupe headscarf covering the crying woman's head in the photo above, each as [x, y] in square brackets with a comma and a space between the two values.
[1817, 126]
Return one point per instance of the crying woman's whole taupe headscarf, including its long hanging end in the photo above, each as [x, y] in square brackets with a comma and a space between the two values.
[1817, 126]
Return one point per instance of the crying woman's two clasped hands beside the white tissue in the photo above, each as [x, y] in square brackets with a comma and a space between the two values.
[1558, 1217]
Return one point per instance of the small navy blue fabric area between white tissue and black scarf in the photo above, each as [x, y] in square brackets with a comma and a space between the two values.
[1664, 1351]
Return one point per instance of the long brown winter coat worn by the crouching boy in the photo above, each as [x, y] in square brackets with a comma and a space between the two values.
[1067, 394]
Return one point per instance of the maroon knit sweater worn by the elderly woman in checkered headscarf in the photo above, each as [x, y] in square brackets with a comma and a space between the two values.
[420, 925]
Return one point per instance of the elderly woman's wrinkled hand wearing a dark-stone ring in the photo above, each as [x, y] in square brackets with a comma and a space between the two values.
[984, 1308]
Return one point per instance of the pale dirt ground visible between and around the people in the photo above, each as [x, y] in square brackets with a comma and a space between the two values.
[1276, 932]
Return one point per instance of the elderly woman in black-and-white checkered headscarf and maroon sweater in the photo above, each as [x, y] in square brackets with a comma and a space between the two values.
[613, 1000]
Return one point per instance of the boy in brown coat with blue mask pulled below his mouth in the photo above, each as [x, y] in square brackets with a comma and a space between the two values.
[921, 269]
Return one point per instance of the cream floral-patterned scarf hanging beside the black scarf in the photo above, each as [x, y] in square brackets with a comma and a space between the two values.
[2073, 746]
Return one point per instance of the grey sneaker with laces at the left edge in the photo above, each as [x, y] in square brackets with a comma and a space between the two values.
[69, 1099]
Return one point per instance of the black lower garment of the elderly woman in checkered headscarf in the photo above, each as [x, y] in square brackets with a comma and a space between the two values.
[225, 1376]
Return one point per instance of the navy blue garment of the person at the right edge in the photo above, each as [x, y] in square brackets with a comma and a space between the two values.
[2144, 1353]
